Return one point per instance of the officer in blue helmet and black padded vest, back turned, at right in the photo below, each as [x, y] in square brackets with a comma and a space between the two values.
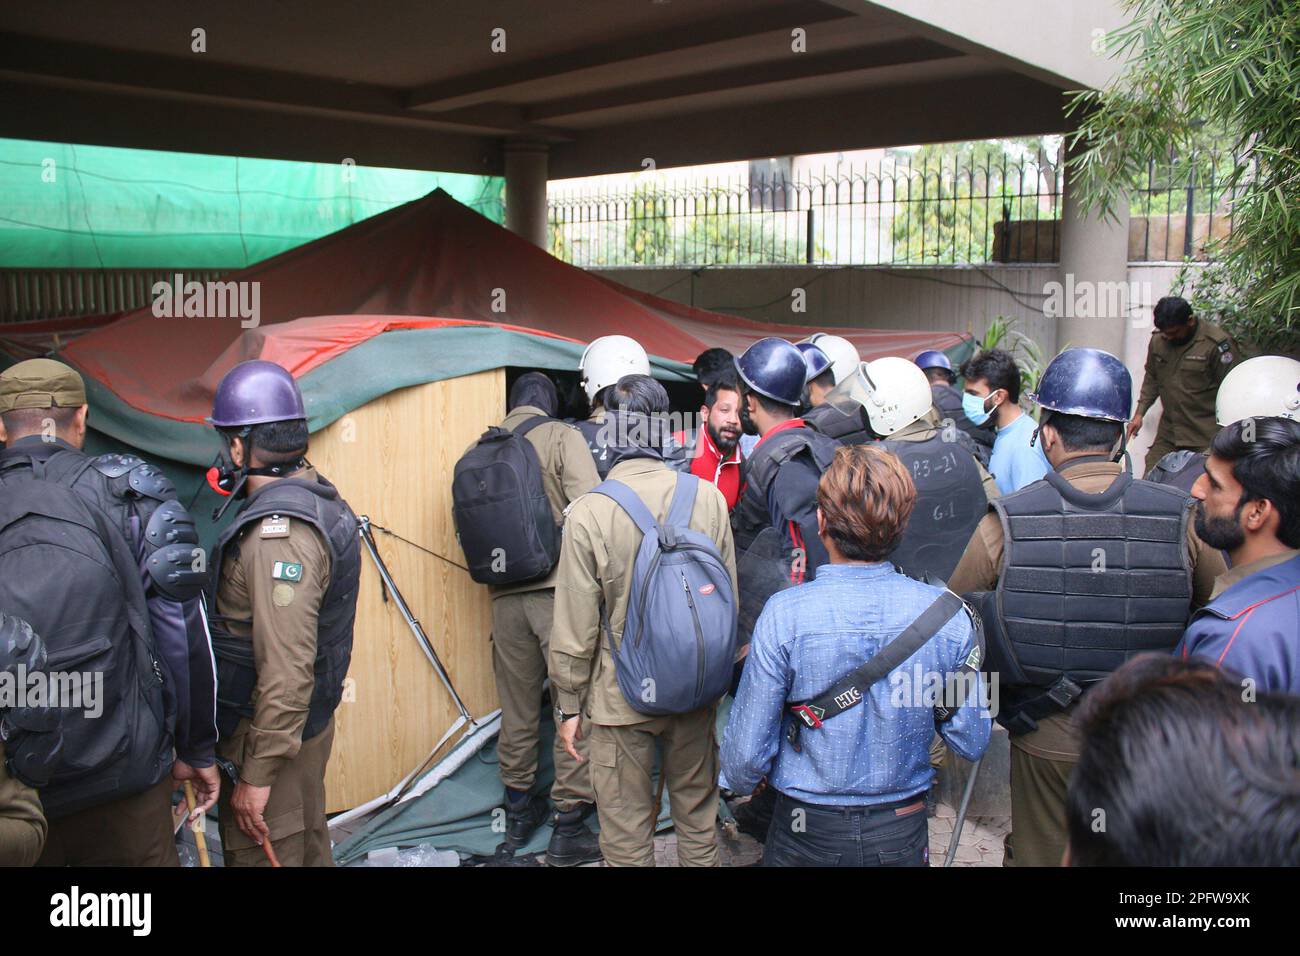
[1090, 568]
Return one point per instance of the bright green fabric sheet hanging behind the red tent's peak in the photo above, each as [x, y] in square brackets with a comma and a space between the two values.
[93, 207]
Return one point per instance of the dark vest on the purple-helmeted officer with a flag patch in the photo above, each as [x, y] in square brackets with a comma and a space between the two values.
[237, 676]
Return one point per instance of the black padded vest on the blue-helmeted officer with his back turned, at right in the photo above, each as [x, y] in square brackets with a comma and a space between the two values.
[1089, 581]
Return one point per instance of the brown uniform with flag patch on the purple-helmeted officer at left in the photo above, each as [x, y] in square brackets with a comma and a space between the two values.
[280, 618]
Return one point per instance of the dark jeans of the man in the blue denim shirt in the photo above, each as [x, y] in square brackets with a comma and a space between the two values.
[814, 836]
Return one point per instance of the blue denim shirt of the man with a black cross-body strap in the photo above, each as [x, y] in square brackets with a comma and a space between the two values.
[805, 641]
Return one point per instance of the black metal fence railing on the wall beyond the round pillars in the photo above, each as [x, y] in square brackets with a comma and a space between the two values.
[908, 210]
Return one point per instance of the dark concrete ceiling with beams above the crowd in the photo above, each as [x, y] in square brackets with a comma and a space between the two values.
[418, 85]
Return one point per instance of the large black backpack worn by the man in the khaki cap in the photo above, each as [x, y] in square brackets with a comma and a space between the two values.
[68, 570]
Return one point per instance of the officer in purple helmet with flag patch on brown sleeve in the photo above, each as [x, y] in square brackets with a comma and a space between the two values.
[285, 581]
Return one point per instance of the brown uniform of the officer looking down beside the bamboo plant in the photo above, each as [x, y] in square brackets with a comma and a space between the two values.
[1186, 379]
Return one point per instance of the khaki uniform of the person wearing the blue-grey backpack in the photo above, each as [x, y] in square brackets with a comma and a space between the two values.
[595, 574]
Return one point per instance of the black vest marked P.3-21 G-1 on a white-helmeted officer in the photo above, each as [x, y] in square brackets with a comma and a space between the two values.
[950, 504]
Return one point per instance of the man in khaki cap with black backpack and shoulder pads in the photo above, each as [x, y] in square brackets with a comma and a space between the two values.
[133, 616]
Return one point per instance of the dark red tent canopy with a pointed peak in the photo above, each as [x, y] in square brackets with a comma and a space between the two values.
[434, 262]
